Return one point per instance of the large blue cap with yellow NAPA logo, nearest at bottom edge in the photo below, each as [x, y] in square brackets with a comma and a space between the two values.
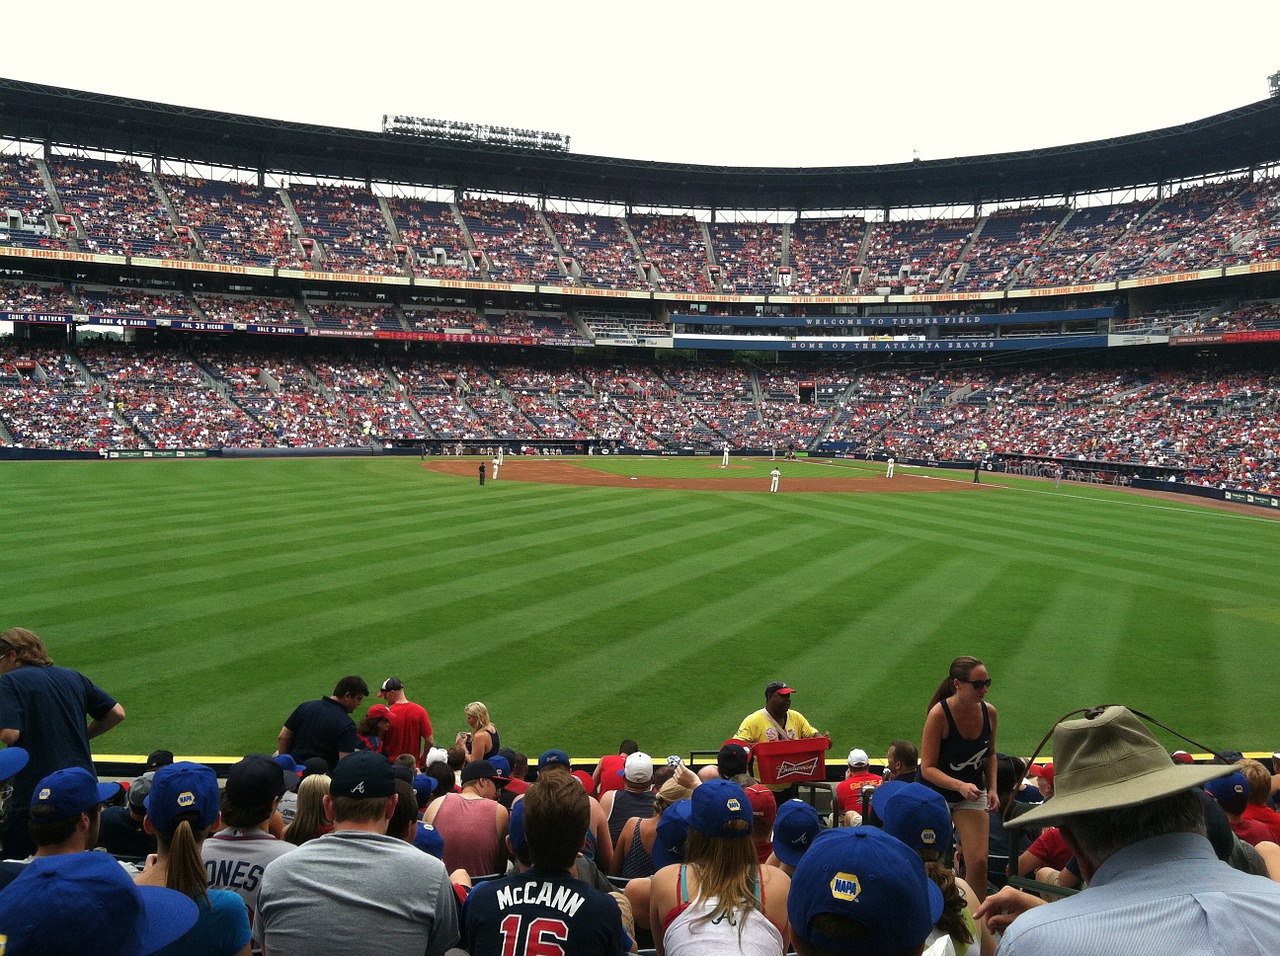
[867, 876]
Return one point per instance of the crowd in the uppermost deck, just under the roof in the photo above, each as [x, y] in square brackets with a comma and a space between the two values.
[116, 208]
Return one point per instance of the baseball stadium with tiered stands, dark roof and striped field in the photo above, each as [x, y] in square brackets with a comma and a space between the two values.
[282, 404]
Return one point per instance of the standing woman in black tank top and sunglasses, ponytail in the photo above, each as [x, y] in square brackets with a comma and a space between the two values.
[958, 758]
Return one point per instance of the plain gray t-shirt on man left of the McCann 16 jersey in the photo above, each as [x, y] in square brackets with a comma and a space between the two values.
[358, 894]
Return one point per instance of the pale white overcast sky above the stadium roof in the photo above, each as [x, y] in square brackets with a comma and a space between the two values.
[735, 84]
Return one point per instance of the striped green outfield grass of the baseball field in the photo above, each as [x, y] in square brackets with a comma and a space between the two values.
[212, 597]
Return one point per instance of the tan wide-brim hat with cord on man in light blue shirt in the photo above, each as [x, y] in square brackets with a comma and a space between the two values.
[1110, 761]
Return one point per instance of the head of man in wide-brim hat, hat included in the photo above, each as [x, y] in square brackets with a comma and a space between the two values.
[1114, 785]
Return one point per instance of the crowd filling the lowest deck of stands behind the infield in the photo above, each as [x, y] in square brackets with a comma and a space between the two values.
[1210, 427]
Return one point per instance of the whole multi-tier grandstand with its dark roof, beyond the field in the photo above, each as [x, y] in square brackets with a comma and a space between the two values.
[285, 286]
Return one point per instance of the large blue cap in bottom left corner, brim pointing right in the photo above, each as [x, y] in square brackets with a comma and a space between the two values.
[72, 904]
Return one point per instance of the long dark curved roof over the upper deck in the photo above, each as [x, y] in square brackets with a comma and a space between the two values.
[1237, 140]
